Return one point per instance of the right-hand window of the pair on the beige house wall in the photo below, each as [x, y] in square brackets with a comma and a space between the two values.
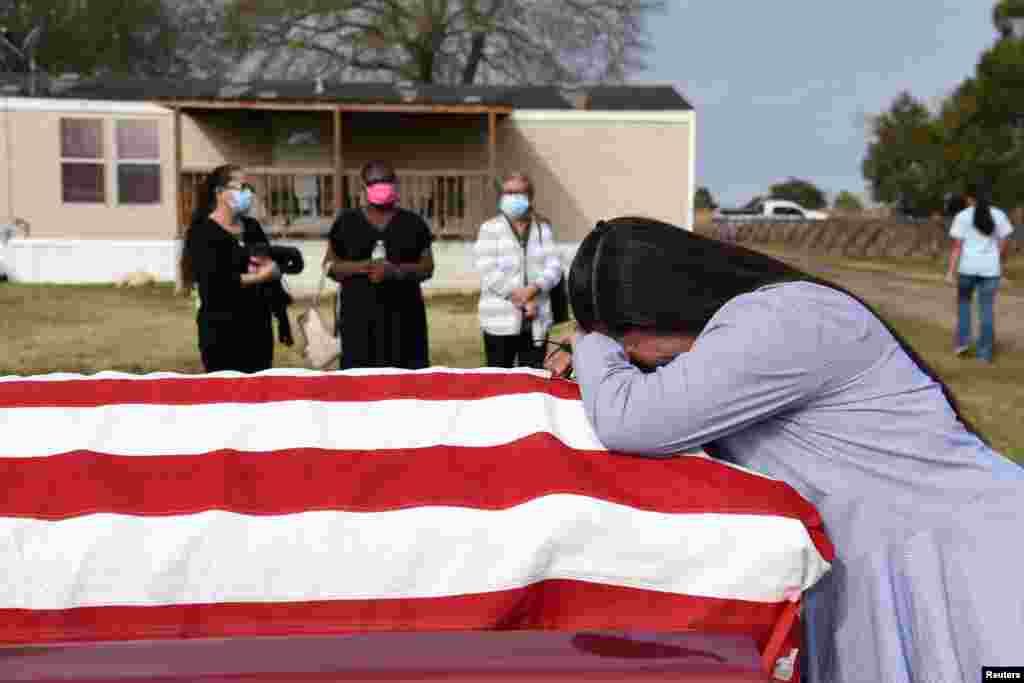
[138, 152]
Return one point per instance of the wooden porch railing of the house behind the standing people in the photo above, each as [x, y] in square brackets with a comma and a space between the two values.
[304, 202]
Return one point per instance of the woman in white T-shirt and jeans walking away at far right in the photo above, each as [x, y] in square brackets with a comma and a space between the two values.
[979, 235]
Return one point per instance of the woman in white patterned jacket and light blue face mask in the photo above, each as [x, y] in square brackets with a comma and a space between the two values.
[519, 263]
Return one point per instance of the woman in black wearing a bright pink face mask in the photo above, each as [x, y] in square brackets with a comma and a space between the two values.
[386, 321]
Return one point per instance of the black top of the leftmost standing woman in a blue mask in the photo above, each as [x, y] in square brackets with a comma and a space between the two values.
[220, 259]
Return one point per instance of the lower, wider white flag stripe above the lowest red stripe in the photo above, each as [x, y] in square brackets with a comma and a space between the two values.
[106, 560]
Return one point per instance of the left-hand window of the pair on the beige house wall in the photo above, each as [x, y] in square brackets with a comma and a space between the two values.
[83, 168]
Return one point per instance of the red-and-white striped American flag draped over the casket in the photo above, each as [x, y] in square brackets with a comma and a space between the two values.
[293, 503]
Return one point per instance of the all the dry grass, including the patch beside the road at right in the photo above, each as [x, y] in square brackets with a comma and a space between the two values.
[87, 329]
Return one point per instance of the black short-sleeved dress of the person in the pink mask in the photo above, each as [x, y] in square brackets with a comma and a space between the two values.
[382, 325]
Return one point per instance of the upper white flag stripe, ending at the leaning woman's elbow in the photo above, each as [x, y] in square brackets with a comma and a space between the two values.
[156, 430]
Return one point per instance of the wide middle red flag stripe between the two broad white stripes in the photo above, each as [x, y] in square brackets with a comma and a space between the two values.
[304, 480]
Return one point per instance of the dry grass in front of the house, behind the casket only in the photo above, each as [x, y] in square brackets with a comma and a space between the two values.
[87, 329]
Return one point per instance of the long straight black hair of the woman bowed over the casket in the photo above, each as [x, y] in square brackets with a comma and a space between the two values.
[641, 274]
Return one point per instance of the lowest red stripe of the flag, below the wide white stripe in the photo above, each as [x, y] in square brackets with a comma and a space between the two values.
[553, 605]
